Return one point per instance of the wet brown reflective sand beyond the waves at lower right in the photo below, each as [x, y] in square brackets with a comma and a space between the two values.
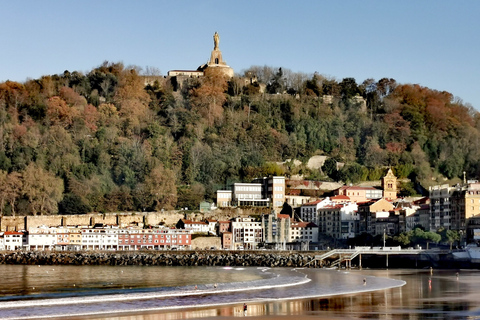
[439, 295]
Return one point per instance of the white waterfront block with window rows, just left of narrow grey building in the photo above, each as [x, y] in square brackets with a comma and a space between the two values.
[247, 233]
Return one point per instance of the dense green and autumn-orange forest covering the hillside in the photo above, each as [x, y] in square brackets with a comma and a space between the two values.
[103, 141]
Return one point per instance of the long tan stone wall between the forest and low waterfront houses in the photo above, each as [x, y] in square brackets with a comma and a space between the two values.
[167, 218]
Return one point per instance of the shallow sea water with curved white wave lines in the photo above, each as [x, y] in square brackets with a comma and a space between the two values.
[33, 292]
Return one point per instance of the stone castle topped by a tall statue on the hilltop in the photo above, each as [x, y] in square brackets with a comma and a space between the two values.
[216, 61]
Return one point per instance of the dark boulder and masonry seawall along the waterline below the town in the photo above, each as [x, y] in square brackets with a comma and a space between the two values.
[293, 259]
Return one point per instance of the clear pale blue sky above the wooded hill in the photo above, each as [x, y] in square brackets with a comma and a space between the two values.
[433, 43]
